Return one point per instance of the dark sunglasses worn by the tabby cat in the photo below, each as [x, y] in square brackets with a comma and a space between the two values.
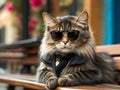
[58, 35]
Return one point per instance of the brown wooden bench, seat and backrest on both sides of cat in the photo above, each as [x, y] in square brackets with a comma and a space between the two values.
[30, 49]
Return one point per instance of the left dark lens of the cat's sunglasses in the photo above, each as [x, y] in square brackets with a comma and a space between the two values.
[56, 35]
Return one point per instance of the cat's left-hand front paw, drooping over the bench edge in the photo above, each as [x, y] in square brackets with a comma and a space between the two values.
[51, 83]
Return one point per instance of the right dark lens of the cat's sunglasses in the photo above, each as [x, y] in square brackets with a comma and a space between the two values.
[73, 35]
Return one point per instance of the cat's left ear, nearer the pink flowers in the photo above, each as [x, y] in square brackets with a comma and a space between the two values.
[48, 19]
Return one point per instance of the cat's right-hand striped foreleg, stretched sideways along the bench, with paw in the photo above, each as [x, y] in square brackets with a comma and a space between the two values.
[80, 78]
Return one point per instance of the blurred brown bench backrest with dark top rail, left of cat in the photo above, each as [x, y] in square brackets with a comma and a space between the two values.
[23, 52]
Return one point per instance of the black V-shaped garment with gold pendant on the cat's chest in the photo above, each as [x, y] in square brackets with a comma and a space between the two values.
[58, 62]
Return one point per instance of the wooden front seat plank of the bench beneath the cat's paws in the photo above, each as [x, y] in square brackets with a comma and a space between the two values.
[23, 81]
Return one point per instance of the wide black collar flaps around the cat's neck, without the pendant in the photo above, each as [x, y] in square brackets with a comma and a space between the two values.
[76, 59]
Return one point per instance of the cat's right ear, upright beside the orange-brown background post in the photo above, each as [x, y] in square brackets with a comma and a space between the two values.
[83, 17]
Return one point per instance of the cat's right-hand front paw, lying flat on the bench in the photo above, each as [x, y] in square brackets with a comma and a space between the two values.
[65, 81]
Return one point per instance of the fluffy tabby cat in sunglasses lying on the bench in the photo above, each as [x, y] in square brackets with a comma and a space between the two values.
[68, 56]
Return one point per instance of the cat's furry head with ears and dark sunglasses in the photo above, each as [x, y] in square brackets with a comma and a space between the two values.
[66, 34]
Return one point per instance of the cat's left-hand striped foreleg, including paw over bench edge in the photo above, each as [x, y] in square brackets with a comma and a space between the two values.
[46, 75]
